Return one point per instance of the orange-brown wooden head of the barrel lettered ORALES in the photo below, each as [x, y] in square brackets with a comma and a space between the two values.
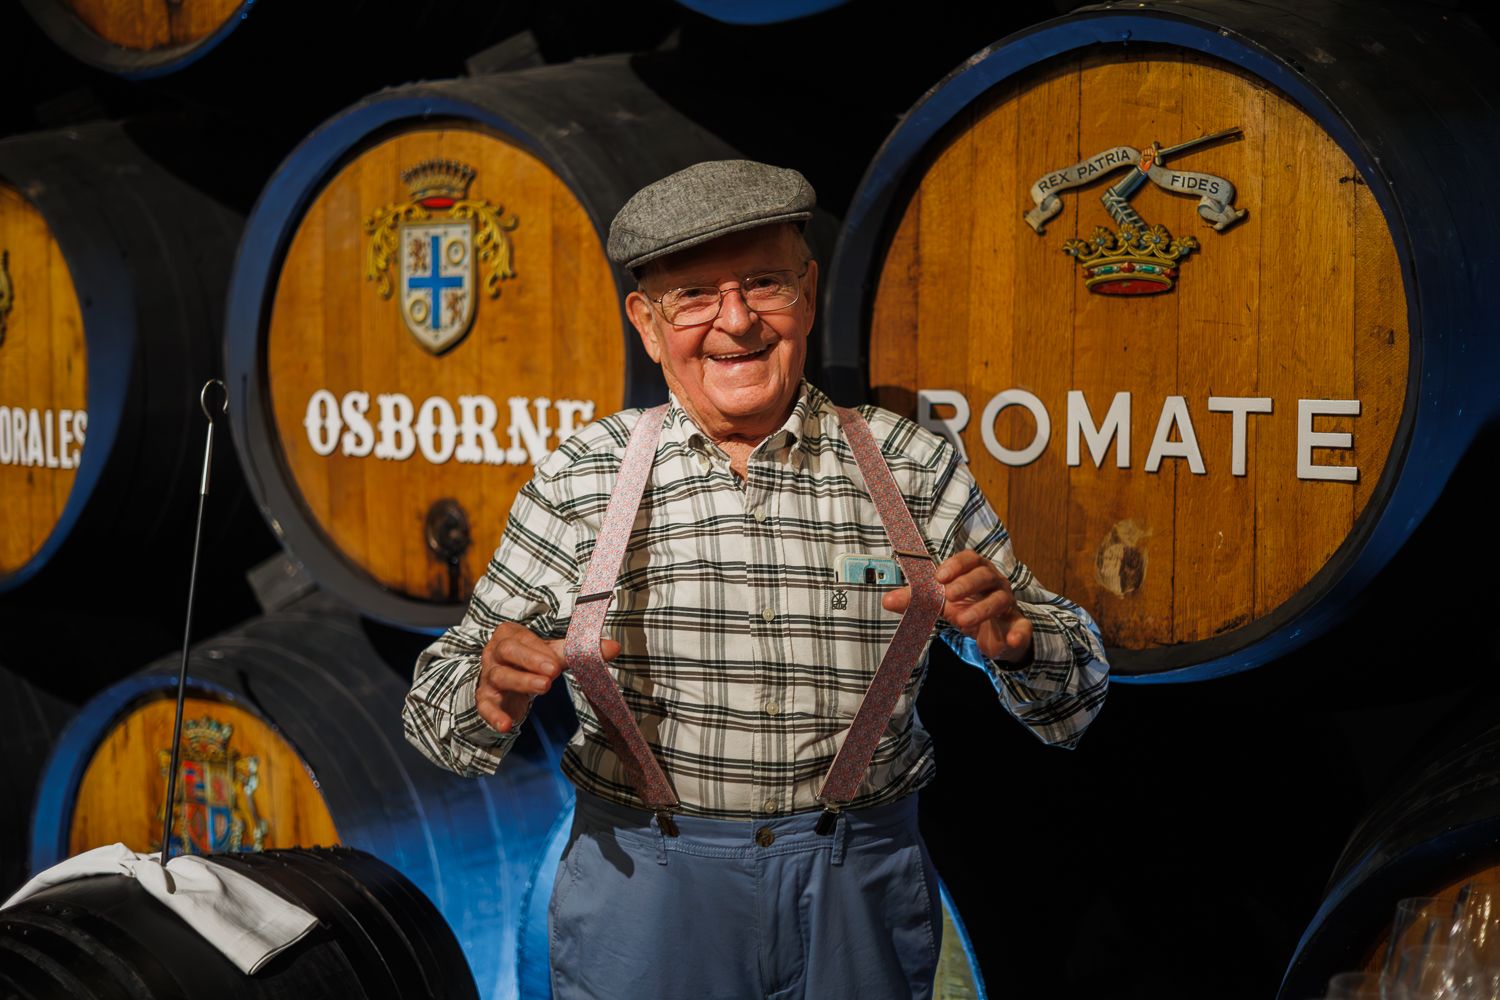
[43, 367]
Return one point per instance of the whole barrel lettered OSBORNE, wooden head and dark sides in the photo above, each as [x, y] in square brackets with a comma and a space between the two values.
[422, 310]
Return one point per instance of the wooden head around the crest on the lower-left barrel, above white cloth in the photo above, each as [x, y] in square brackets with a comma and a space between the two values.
[124, 788]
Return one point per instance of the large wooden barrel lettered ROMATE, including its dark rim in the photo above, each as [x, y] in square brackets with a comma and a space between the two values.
[1211, 389]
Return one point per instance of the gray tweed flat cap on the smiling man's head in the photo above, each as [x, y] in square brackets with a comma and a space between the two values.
[704, 203]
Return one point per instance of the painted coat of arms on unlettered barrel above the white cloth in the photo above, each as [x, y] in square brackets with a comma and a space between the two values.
[217, 809]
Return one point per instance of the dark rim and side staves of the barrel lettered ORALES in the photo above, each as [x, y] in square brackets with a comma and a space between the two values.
[106, 202]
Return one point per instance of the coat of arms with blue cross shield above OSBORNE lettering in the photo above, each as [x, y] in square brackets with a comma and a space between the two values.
[451, 250]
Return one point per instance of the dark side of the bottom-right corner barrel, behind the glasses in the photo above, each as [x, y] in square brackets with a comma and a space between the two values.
[1427, 839]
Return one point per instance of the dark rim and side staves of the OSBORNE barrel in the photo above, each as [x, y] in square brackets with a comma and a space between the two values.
[524, 107]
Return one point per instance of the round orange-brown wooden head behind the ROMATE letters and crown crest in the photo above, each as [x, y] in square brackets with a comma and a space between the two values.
[1300, 301]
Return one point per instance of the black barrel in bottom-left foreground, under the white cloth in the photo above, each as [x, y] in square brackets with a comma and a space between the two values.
[106, 938]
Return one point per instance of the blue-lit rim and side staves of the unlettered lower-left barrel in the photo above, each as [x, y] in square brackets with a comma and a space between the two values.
[475, 851]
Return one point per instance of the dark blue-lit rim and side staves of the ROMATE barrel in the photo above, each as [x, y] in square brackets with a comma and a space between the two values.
[1388, 158]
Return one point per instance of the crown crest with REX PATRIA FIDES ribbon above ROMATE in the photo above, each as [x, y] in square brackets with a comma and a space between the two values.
[1139, 259]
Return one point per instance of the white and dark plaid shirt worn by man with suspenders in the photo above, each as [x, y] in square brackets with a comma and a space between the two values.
[743, 659]
